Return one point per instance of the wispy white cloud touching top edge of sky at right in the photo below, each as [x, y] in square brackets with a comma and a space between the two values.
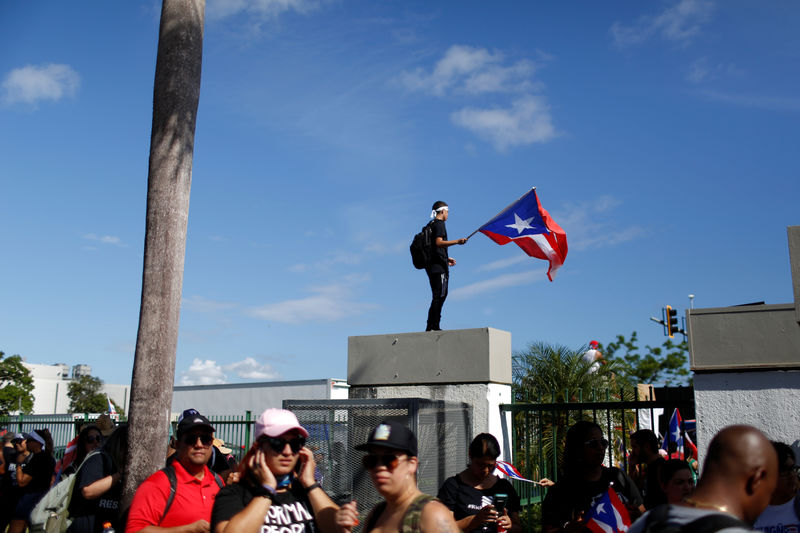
[678, 23]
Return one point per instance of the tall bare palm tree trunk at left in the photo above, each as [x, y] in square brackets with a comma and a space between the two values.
[175, 98]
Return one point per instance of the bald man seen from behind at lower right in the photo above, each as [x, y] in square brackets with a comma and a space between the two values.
[739, 475]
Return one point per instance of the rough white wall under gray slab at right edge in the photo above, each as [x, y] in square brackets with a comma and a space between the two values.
[768, 400]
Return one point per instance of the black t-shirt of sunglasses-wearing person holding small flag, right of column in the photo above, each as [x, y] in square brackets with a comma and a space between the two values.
[570, 497]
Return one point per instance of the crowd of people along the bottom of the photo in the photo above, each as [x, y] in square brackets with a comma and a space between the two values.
[275, 487]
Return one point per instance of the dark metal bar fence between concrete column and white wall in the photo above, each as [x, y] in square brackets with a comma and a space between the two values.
[537, 432]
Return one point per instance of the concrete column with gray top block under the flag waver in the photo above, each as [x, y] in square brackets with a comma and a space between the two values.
[467, 365]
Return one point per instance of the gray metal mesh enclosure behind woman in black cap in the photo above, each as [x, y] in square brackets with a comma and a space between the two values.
[443, 430]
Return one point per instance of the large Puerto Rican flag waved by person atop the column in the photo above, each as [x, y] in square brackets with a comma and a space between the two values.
[529, 226]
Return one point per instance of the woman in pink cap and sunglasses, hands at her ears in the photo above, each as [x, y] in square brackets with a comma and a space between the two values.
[276, 488]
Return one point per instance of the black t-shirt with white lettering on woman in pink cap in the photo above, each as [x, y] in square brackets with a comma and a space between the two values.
[289, 512]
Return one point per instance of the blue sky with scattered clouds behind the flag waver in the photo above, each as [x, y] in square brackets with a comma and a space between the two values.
[662, 136]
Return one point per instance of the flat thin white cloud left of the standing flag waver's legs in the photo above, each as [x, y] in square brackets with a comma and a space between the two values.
[327, 303]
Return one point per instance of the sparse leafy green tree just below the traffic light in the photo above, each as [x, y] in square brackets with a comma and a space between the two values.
[665, 364]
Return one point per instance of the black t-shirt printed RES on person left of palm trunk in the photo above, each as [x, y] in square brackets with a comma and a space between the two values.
[89, 515]
